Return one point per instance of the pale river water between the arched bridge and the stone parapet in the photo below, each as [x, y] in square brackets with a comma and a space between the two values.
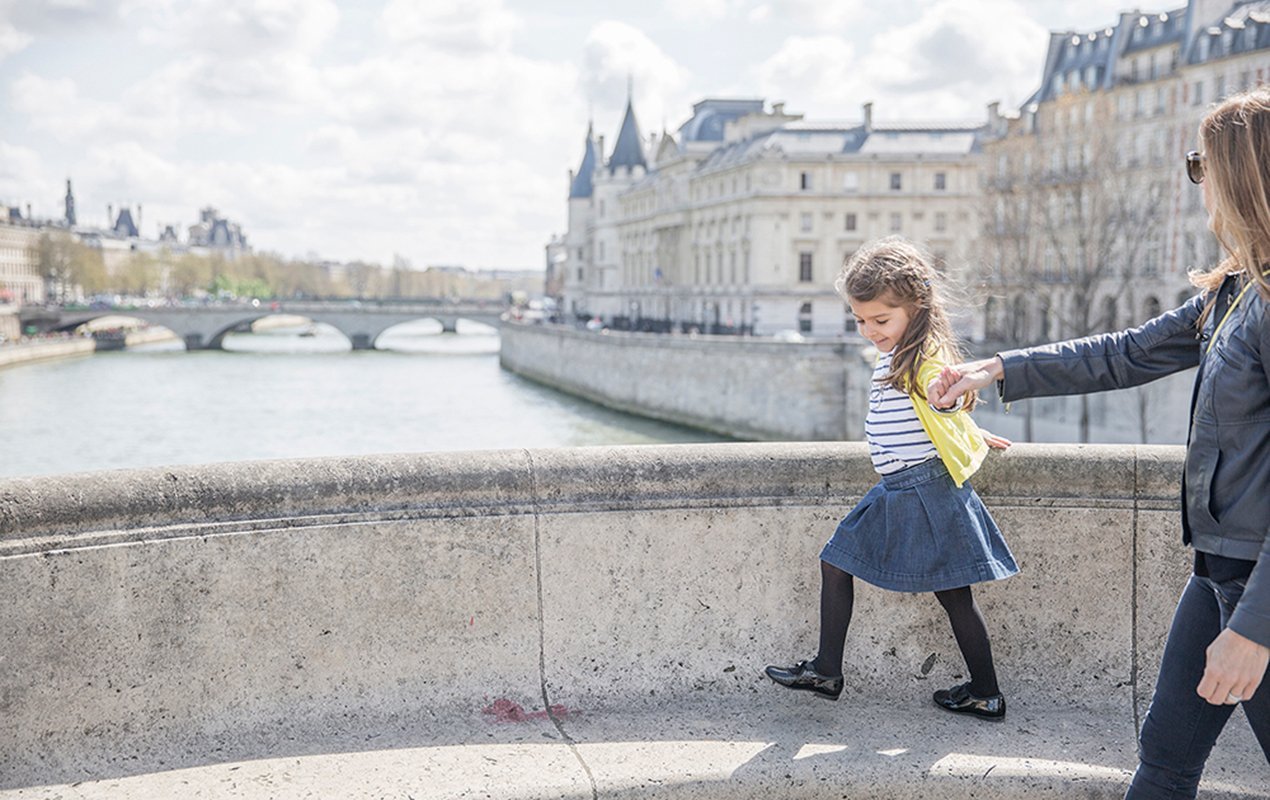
[281, 396]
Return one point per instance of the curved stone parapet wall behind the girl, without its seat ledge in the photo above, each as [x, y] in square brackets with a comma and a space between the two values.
[170, 618]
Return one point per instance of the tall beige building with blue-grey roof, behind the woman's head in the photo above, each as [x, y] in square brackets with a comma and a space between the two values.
[1090, 223]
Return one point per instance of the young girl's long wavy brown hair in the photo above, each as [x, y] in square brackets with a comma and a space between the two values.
[899, 274]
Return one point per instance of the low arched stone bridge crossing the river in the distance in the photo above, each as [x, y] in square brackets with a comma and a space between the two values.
[204, 328]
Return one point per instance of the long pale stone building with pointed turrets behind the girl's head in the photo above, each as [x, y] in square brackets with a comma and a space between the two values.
[741, 220]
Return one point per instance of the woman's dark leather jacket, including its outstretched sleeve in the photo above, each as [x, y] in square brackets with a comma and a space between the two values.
[1226, 484]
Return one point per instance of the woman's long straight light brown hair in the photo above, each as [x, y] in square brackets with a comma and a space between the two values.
[1235, 138]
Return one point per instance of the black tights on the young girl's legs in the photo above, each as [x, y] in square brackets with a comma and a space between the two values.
[838, 601]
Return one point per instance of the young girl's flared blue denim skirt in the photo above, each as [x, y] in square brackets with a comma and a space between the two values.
[918, 531]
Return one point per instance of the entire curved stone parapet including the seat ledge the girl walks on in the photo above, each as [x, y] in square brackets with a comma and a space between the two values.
[338, 627]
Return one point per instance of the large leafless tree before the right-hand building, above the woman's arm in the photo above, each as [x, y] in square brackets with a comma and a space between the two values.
[1070, 222]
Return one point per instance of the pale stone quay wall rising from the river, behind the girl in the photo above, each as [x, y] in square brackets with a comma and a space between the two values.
[817, 390]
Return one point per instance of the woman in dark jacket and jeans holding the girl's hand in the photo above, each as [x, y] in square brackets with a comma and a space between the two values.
[1220, 642]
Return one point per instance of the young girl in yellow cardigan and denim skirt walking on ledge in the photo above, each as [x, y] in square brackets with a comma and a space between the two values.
[923, 529]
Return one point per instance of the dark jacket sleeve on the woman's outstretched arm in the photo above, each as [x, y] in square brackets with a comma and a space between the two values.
[1159, 347]
